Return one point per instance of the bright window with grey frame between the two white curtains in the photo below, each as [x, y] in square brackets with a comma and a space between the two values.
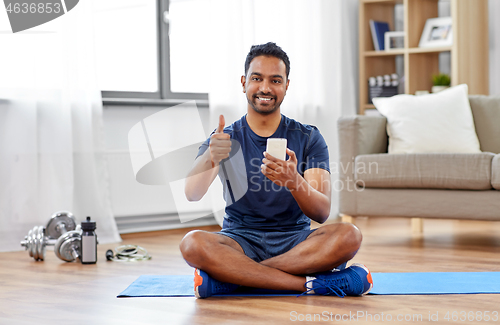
[151, 49]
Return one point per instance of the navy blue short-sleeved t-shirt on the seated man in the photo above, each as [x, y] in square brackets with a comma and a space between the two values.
[254, 201]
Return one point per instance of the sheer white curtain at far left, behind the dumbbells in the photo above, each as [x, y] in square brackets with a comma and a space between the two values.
[51, 132]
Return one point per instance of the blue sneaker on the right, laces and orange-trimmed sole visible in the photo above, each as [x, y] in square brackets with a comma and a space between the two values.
[355, 280]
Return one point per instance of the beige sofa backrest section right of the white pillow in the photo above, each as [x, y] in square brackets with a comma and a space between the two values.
[486, 112]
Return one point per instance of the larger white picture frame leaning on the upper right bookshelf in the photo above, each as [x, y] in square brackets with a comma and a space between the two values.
[437, 32]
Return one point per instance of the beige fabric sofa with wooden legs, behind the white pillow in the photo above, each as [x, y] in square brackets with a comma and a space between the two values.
[450, 186]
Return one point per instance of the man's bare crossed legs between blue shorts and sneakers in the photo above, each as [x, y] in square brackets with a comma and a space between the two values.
[223, 258]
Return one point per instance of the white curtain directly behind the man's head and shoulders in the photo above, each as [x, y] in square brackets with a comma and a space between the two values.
[320, 38]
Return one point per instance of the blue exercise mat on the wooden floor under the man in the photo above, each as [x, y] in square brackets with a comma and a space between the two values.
[429, 283]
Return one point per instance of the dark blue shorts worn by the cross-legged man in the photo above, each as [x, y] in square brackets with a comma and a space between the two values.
[260, 245]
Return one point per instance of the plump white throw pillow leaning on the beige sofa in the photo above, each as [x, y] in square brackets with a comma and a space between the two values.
[435, 123]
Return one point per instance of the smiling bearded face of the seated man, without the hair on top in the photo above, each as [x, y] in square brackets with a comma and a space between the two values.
[265, 84]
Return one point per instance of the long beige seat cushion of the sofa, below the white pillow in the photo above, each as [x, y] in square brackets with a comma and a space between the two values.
[434, 171]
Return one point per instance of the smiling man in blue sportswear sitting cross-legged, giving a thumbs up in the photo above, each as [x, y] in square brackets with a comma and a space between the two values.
[266, 240]
